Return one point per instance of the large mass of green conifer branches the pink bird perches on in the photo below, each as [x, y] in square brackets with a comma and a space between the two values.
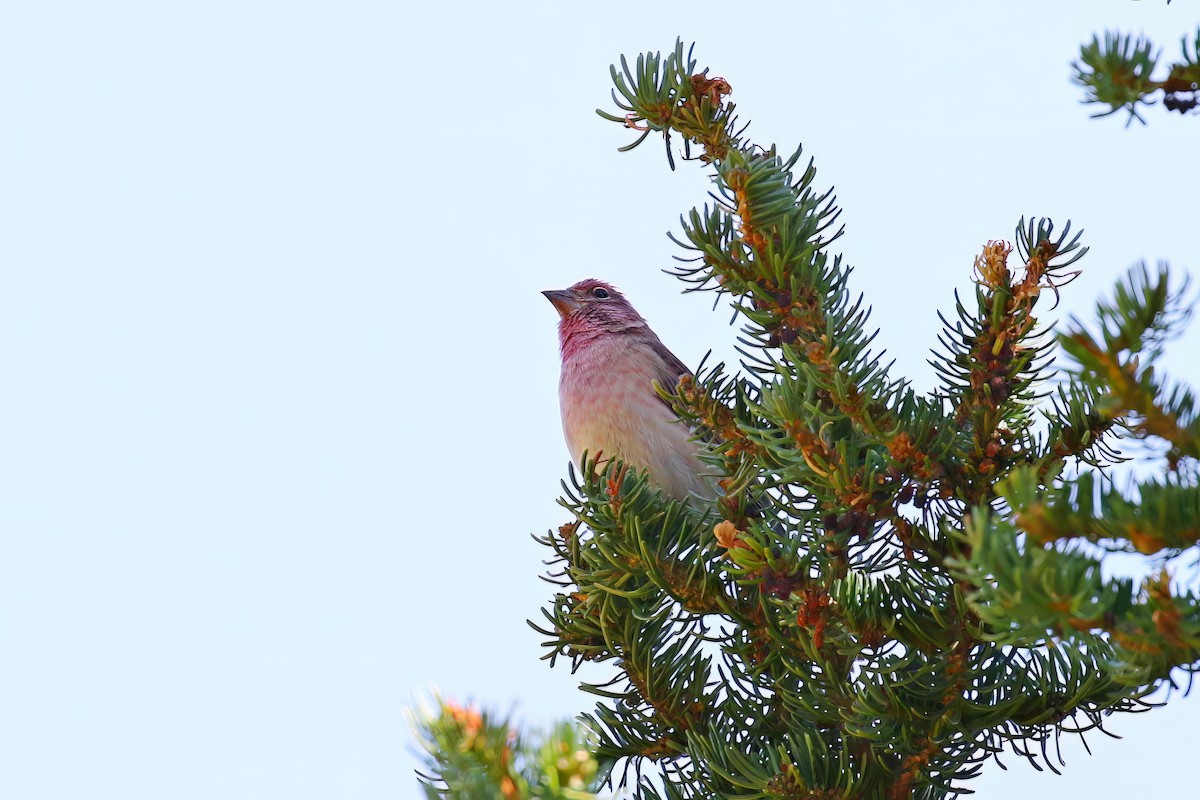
[895, 587]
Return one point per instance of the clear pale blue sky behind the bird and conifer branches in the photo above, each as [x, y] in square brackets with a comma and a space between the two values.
[280, 410]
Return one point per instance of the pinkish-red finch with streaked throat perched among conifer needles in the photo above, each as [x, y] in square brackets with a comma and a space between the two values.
[611, 364]
